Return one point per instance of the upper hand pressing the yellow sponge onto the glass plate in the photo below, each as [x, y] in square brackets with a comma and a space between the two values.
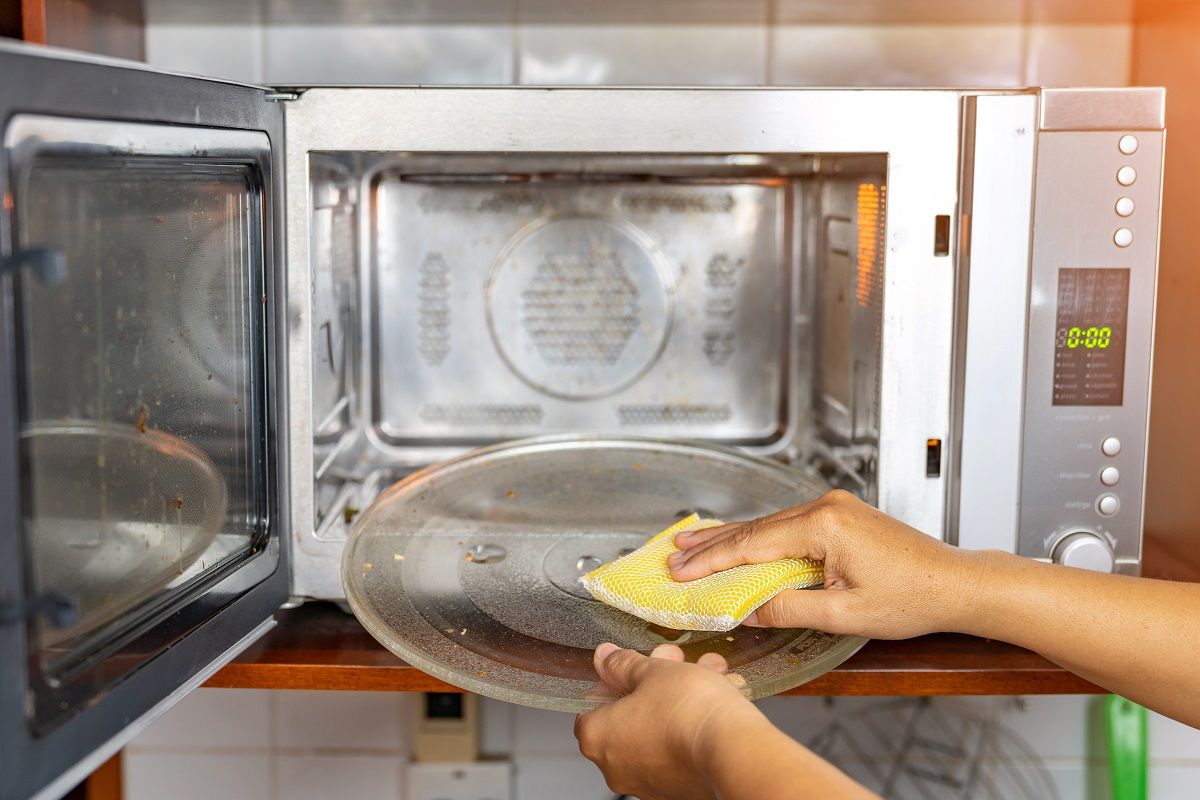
[883, 579]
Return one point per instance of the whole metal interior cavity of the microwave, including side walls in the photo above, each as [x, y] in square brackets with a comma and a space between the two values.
[461, 300]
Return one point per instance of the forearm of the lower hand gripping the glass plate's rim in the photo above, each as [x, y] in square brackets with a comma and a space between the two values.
[753, 760]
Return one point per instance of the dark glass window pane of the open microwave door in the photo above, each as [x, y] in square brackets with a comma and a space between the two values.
[141, 411]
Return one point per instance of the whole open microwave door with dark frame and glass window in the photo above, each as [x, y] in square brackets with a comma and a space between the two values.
[141, 395]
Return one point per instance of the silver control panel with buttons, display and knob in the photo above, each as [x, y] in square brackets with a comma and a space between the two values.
[1094, 269]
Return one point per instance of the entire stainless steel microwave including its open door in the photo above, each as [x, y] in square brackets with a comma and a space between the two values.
[232, 315]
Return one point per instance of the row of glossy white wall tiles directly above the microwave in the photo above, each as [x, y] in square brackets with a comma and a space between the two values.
[704, 53]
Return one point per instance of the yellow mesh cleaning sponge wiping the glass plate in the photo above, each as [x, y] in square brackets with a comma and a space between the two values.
[641, 585]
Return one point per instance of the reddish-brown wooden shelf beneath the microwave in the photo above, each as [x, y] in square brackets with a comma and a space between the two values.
[319, 647]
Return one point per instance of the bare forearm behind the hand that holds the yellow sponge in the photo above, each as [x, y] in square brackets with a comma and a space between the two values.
[1132, 636]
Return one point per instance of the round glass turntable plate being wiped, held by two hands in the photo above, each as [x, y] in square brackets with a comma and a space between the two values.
[470, 569]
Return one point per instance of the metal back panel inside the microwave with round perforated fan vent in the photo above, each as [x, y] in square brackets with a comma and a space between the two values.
[506, 305]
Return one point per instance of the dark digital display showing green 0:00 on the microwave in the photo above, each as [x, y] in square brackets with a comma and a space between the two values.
[1089, 352]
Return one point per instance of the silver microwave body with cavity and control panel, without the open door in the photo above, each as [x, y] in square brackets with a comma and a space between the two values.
[941, 300]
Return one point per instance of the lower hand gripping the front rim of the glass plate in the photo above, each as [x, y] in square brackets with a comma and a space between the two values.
[656, 743]
